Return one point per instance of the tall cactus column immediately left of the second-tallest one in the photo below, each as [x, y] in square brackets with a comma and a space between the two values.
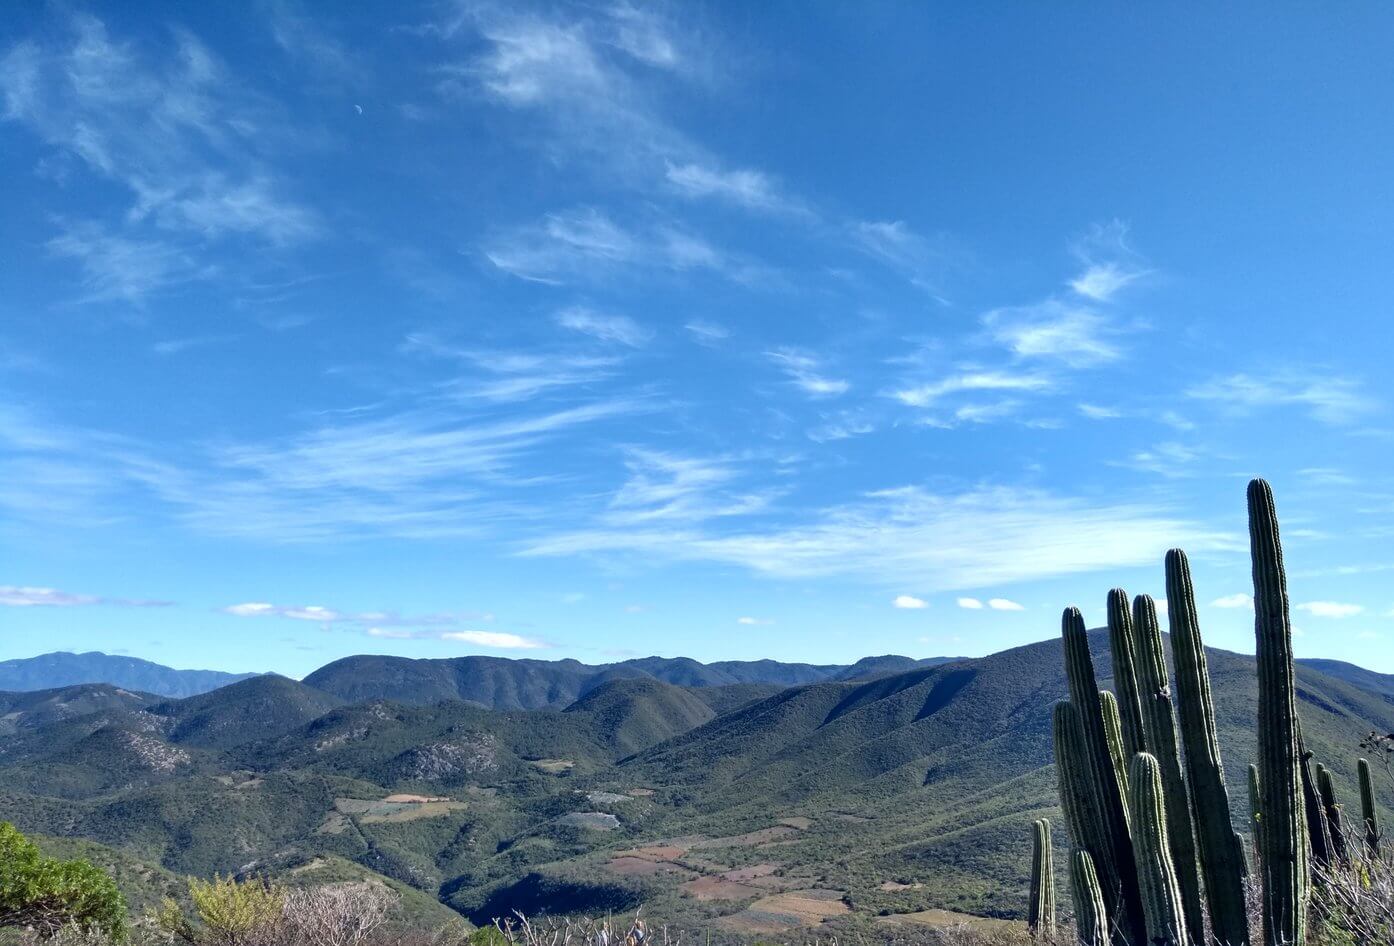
[1161, 728]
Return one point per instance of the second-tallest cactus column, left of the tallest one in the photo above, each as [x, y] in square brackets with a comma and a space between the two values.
[1222, 856]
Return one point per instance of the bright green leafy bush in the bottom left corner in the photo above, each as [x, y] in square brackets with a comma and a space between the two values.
[48, 897]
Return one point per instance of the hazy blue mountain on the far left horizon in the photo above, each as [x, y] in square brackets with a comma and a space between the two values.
[62, 669]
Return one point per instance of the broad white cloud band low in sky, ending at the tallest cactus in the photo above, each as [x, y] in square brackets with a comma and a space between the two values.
[914, 537]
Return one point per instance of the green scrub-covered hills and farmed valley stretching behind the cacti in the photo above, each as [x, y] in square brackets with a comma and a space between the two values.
[482, 785]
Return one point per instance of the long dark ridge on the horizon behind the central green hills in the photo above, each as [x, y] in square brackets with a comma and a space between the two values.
[503, 683]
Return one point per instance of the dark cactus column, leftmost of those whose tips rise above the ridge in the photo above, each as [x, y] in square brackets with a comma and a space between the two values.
[1115, 856]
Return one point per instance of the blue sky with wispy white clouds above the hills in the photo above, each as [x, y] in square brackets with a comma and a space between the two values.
[726, 331]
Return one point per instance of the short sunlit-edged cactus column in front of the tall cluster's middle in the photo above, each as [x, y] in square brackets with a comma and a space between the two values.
[1156, 874]
